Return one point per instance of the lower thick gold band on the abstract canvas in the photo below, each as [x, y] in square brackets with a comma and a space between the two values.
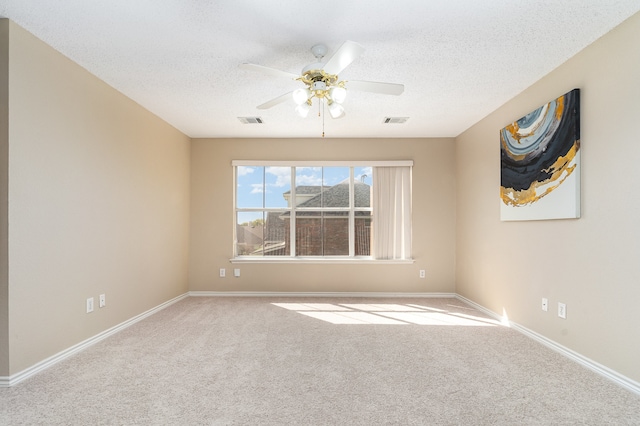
[560, 170]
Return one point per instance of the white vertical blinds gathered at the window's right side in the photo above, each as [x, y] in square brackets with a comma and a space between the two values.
[392, 212]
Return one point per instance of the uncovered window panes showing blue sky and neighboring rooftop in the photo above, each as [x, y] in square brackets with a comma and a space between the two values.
[327, 210]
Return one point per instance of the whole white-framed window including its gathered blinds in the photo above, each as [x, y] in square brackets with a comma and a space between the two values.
[319, 211]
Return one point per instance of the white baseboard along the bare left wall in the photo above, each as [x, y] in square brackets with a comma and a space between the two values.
[42, 365]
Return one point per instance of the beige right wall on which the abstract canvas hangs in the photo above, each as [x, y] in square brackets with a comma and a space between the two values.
[591, 264]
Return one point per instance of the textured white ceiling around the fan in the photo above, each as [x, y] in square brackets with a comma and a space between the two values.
[458, 59]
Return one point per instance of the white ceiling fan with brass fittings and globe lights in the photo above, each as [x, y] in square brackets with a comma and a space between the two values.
[321, 81]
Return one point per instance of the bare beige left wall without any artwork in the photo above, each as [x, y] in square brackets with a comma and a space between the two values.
[98, 203]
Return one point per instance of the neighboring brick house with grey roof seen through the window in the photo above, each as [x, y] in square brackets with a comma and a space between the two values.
[319, 233]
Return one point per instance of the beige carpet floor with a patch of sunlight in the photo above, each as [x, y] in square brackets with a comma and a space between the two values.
[285, 361]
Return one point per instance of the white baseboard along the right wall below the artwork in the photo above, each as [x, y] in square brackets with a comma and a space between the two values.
[592, 365]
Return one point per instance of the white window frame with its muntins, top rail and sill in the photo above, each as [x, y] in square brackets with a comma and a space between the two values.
[351, 258]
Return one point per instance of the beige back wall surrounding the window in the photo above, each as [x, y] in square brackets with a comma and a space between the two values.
[433, 217]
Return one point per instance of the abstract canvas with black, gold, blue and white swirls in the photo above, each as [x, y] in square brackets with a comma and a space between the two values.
[540, 163]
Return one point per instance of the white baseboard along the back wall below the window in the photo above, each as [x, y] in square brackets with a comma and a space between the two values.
[317, 294]
